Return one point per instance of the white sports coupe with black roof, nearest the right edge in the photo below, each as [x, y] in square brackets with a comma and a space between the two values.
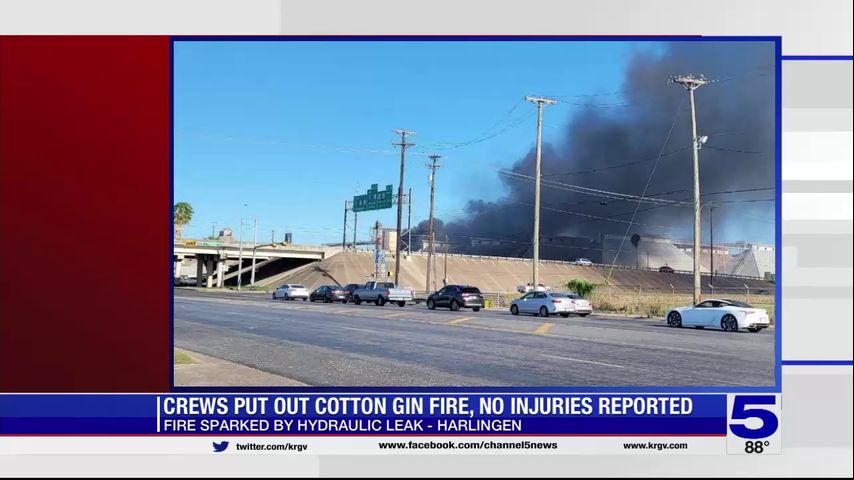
[728, 315]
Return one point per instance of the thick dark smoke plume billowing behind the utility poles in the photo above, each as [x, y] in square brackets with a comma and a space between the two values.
[736, 112]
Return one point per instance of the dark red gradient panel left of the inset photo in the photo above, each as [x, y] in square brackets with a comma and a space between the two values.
[84, 214]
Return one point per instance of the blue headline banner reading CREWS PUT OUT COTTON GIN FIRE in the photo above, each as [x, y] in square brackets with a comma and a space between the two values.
[361, 414]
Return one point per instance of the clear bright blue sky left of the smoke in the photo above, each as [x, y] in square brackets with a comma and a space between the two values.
[285, 131]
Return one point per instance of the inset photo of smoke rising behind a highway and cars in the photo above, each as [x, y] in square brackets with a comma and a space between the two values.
[609, 221]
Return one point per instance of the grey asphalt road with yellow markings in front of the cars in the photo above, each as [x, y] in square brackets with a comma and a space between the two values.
[366, 345]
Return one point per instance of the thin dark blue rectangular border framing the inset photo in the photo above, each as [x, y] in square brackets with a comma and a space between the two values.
[776, 388]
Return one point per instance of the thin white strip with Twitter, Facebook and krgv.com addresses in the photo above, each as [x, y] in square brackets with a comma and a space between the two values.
[365, 445]
